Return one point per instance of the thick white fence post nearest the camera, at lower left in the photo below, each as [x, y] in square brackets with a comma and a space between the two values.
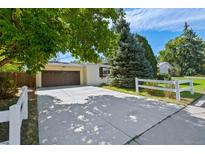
[14, 125]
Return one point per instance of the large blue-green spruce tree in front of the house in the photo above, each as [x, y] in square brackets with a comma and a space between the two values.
[129, 60]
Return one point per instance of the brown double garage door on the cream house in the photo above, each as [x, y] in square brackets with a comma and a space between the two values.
[60, 78]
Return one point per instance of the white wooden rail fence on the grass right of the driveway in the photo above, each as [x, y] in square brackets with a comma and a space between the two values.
[177, 83]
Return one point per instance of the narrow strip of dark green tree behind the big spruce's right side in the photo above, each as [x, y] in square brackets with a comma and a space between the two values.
[148, 52]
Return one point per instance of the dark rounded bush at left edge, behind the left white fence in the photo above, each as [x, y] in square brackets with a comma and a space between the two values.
[8, 88]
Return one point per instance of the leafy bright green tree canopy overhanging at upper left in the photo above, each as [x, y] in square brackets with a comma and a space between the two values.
[33, 36]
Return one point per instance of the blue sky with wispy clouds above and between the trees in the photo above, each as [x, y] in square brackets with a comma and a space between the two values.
[160, 25]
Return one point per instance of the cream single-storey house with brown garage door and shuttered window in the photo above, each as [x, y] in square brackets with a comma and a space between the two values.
[62, 74]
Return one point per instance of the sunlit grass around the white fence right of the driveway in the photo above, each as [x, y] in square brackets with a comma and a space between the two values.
[186, 97]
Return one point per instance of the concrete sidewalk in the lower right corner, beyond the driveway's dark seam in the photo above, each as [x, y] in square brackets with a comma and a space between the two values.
[185, 127]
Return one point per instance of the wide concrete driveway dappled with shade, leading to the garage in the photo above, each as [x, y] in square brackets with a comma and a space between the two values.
[92, 115]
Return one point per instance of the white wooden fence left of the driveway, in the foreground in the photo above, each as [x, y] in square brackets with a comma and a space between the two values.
[14, 116]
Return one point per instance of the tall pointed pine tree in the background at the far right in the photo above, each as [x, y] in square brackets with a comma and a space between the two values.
[191, 52]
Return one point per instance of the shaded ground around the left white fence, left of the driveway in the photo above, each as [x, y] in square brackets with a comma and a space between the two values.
[29, 129]
